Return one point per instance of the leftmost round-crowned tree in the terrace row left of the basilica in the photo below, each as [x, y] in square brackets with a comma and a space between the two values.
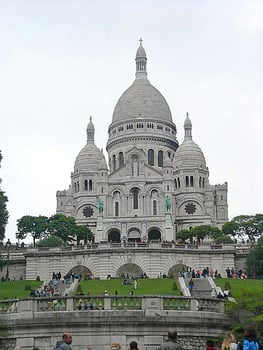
[36, 226]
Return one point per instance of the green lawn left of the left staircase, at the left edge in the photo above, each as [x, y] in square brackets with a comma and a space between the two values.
[17, 289]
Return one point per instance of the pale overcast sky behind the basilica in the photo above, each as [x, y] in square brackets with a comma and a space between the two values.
[62, 61]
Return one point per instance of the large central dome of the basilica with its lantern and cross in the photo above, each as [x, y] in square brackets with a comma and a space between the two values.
[141, 99]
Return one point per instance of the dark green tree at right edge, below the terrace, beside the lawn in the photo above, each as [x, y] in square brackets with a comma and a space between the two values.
[254, 262]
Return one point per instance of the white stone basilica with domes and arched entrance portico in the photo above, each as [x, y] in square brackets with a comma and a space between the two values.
[153, 186]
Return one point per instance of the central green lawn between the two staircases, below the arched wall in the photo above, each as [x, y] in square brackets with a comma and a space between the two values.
[145, 286]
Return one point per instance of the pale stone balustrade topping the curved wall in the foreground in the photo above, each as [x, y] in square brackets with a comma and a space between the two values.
[147, 304]
